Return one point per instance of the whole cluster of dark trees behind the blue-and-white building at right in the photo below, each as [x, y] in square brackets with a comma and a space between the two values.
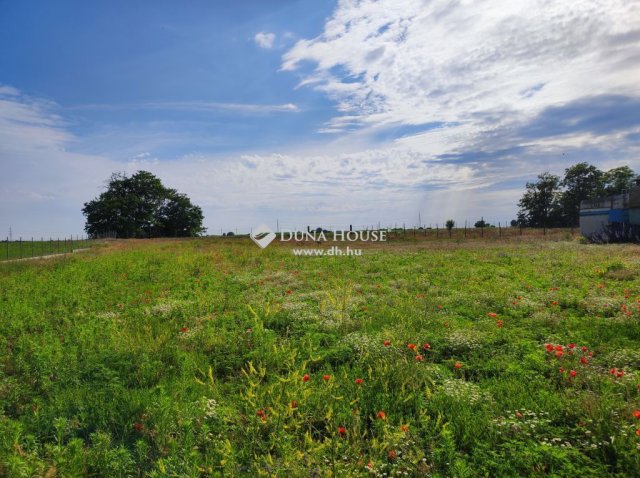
[552, 201]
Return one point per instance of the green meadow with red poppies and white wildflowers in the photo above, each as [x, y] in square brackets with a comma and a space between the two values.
[212, 357]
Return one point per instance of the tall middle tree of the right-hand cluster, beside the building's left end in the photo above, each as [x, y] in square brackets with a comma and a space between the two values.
[581, 181]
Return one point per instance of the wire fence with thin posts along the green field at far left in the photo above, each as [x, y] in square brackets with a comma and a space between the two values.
[32, 247]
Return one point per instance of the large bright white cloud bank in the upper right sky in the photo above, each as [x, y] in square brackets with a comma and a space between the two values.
[413, 62]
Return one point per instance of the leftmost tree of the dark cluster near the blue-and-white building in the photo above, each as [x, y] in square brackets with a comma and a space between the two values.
[540, 204]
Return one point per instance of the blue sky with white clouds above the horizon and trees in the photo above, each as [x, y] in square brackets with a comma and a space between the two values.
[308, 112]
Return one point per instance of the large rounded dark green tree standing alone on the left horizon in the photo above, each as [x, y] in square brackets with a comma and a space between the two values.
[141, 206]
